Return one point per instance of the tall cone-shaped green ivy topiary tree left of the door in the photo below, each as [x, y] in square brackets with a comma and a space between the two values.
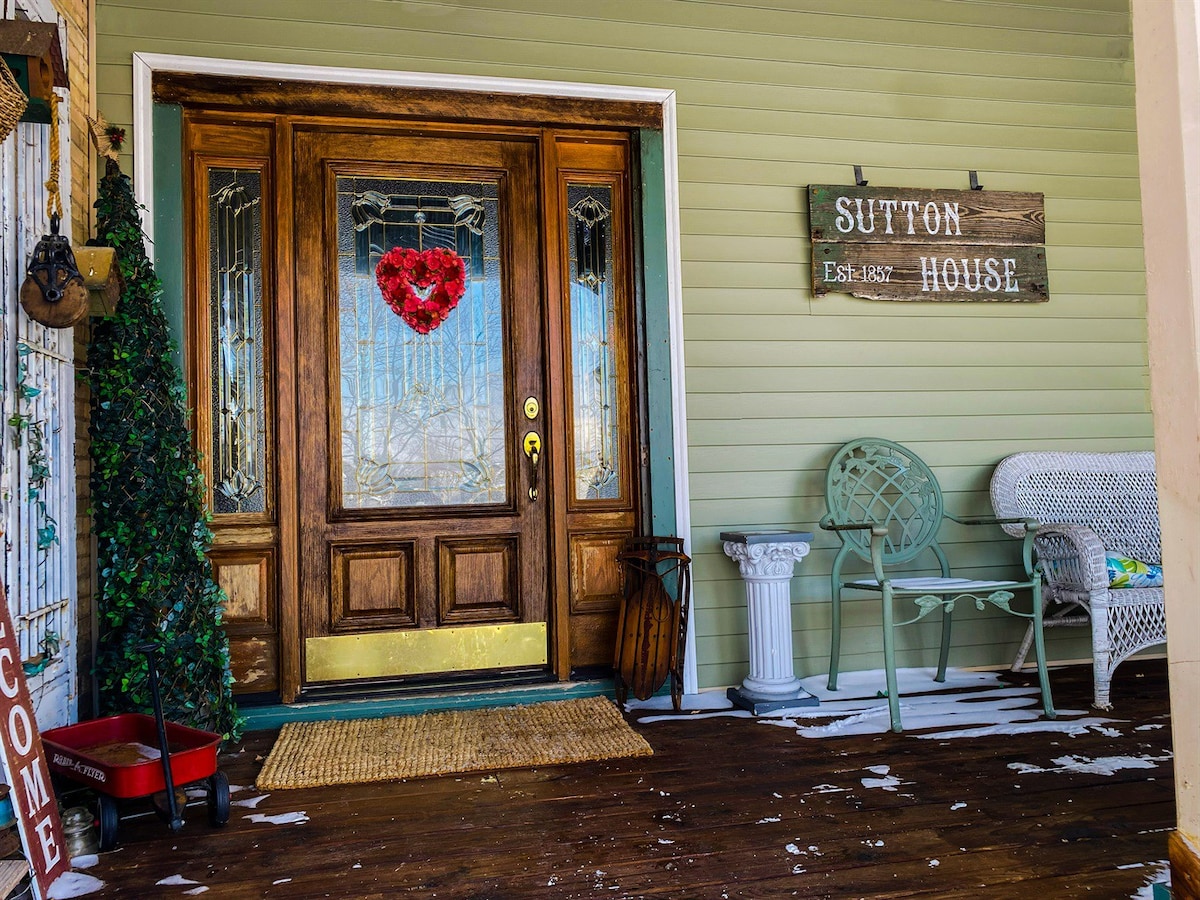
[155, 584]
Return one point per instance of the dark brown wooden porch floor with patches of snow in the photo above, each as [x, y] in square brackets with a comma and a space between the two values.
[727, 808]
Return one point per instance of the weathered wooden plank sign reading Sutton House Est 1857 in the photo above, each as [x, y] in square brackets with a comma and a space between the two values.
[923, 244]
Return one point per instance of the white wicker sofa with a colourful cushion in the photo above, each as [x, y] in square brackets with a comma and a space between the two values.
[1088, 505]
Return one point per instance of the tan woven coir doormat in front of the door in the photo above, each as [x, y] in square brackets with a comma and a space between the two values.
[364, 751]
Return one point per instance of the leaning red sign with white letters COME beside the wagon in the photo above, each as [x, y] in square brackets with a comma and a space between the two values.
[25, 766]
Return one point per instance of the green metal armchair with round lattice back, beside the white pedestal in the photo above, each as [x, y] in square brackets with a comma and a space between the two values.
[886, 507]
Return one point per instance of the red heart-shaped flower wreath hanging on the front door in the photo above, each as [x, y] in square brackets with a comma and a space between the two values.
[422, 286]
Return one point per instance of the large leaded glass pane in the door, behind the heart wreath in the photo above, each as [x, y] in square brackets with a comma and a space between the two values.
[422, 415]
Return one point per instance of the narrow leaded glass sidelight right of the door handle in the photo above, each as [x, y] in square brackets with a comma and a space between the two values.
[595, 377]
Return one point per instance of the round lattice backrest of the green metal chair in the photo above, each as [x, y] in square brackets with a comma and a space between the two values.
[880, 482]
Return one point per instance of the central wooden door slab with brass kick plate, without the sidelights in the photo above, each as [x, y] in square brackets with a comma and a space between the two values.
[422, 489]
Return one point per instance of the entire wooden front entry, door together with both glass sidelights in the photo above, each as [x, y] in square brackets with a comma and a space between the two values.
[409, 499]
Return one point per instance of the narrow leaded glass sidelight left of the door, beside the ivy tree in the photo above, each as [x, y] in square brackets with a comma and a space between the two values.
[236, 311]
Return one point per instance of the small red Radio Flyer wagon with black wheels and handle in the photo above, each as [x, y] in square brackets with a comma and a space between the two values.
[135, 755]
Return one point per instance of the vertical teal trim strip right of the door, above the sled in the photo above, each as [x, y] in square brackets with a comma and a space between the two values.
[658, 333]
